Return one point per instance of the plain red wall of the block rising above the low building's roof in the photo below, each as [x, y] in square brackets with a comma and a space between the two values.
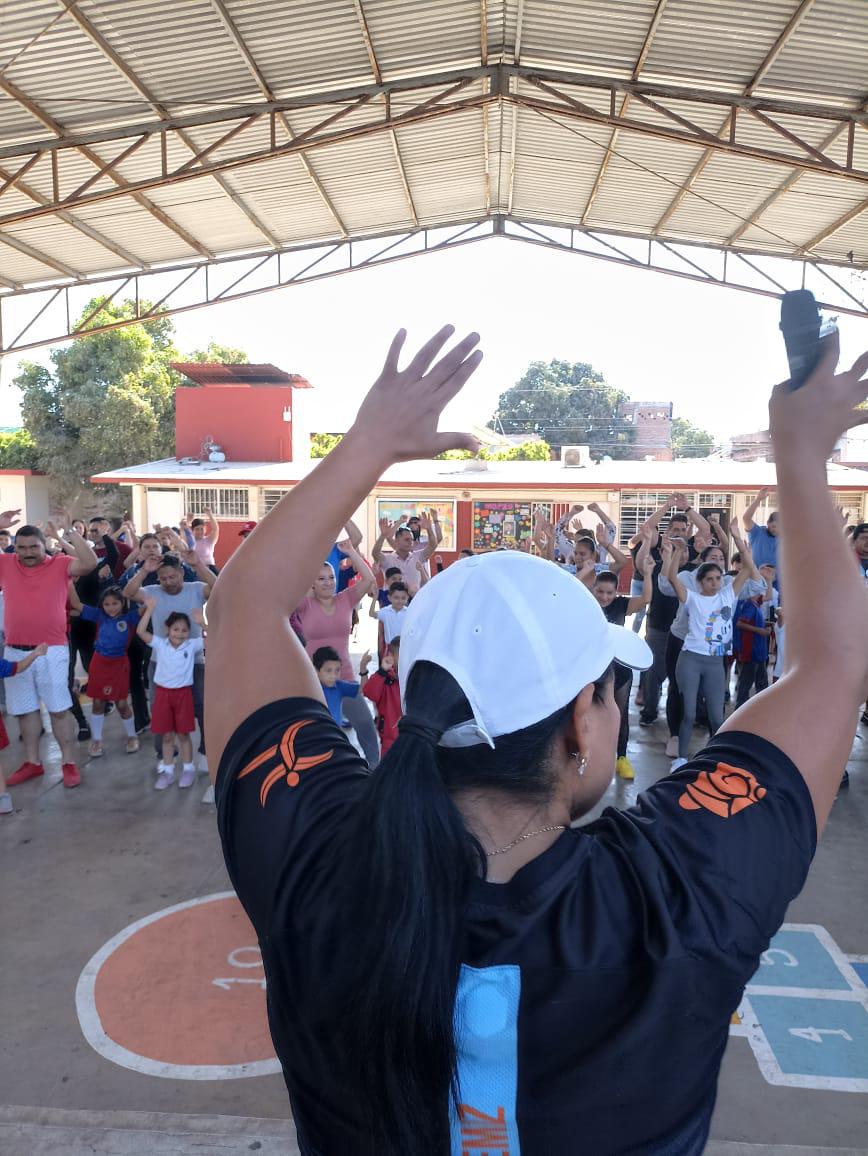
[247, 423]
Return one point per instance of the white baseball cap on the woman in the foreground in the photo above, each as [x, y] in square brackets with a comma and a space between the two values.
[521, 636]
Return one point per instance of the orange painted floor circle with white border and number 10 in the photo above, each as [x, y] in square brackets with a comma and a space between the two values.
[184, 989]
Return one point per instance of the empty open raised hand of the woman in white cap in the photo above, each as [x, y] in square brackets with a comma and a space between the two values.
[404, 407]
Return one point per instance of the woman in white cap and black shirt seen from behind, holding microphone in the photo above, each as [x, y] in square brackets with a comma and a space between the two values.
[439, 938]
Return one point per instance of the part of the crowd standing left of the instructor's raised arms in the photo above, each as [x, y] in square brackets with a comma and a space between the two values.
[94, 609]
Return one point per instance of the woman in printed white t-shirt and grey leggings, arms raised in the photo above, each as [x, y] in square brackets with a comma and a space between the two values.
[701, 669]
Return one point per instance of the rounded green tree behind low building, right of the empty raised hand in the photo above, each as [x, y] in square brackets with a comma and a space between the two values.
[567, 404]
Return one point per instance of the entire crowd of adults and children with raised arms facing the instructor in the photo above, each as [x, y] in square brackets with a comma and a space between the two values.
[106, 602]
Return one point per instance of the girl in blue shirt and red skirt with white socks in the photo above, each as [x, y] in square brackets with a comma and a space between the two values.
[109, 675]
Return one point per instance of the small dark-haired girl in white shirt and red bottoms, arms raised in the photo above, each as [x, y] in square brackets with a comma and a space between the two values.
[173, 716]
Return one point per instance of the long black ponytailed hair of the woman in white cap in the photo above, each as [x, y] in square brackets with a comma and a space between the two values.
[407, 865]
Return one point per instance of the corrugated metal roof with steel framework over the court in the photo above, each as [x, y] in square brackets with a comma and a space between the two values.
[100, 66]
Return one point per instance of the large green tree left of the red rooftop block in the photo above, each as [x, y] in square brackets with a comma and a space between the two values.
[109, 402]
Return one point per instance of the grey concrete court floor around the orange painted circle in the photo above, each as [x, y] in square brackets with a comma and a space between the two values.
[79, 866]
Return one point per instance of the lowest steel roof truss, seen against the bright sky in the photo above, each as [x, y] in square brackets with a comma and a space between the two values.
[391, 248]
